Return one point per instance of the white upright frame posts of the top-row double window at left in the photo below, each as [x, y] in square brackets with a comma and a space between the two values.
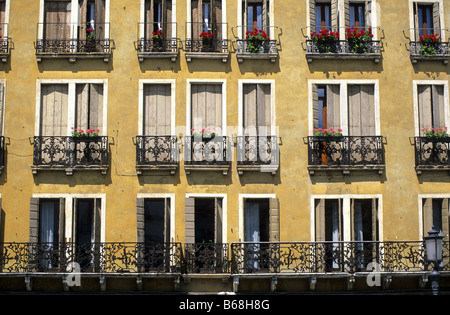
[74, 19]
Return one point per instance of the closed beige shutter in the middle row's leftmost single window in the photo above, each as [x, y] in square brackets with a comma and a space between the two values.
[157, 109]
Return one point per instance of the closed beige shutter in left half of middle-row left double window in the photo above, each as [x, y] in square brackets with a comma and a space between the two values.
[54, 109]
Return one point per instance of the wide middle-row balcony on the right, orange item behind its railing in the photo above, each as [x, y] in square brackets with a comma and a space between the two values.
[346, 153]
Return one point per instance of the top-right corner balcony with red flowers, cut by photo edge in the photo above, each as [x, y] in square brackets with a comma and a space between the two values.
[425, 48]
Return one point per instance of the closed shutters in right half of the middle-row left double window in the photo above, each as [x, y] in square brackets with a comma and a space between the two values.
[89, 106]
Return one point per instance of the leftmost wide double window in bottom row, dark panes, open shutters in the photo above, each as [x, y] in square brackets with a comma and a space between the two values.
[51, 232]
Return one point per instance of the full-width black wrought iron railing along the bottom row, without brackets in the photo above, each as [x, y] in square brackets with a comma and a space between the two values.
[235, 258]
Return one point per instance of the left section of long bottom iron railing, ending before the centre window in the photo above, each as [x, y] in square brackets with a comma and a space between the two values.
[91, 258]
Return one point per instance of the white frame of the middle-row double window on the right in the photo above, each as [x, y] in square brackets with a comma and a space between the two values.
[343, 99]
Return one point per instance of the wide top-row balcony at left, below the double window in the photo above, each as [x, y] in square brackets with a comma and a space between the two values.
[57, 42]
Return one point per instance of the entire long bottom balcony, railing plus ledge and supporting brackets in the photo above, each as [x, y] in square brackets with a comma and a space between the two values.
[242, 261]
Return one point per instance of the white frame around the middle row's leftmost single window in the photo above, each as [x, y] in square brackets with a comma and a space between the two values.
[144, 82]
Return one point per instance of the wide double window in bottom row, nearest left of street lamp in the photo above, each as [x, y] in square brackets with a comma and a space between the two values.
[333, 229]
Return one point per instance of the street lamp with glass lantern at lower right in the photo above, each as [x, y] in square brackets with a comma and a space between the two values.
[433, 247]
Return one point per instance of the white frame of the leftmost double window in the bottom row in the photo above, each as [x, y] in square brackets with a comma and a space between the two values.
[68, 228]
